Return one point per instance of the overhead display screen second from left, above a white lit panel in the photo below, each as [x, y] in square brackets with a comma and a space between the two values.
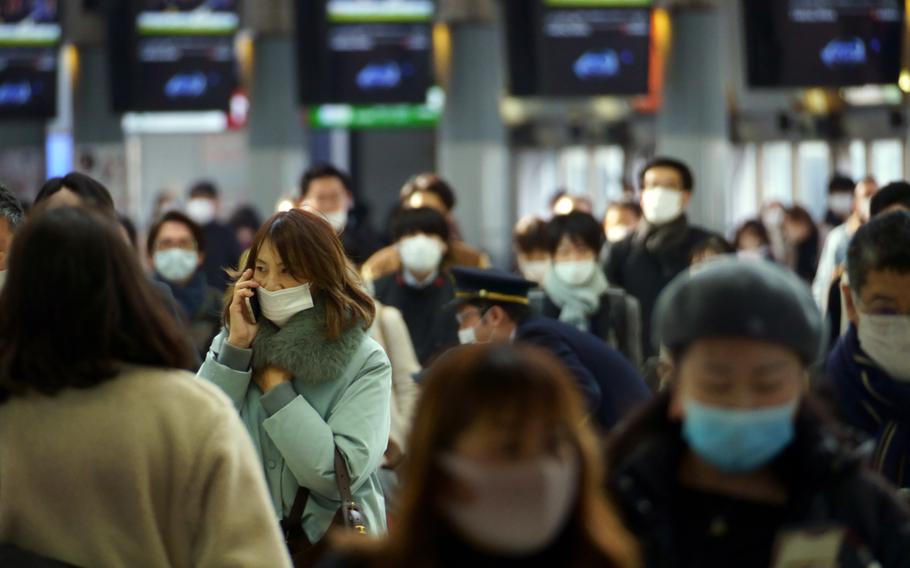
[181, 55]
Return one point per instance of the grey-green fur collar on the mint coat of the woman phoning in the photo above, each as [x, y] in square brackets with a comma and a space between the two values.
[302, 349]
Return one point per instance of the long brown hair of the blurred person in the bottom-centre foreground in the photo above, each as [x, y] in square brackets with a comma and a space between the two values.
[475, 383]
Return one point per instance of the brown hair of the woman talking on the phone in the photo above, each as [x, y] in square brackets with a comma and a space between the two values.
[311, 252]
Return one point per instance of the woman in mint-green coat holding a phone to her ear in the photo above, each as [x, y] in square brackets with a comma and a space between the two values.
[297, 362]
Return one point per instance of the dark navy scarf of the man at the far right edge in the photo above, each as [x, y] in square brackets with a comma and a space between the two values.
[867, 395]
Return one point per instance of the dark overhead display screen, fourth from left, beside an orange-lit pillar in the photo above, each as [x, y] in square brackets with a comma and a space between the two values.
[579, 47]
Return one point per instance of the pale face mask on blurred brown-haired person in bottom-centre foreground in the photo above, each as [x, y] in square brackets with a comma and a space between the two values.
[516, 508]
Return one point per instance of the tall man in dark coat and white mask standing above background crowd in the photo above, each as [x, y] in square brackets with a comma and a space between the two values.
[661, 246]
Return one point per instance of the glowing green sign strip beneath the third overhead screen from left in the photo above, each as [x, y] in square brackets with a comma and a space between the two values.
[374, 116]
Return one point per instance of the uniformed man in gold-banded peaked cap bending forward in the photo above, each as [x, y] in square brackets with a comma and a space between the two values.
[493, 306]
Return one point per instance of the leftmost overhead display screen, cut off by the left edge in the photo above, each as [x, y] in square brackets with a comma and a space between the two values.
[29, 53]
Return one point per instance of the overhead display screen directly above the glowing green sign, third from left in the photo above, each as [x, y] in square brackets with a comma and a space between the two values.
[365, 51]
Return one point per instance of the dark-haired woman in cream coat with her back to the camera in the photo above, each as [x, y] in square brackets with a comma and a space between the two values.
[110, 456]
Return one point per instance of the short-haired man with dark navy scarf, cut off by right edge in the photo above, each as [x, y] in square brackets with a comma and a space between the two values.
[869, 369]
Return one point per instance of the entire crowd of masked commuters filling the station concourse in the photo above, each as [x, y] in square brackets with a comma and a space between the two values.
[637, 392]
